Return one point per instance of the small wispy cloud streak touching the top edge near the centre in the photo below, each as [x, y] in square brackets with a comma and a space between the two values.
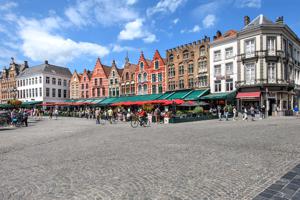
[165, 6]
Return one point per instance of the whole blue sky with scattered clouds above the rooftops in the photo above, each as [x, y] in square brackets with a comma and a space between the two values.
[74, 33]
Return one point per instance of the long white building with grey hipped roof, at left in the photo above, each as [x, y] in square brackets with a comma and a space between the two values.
[46, 83]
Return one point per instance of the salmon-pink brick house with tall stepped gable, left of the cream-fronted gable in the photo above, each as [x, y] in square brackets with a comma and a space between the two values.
[99, 80]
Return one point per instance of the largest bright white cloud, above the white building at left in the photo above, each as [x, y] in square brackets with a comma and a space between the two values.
[40, 43]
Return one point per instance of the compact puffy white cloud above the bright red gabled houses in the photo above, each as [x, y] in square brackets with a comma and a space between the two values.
[135, 30]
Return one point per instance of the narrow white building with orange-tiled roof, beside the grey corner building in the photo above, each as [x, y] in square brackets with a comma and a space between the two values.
[223, 63]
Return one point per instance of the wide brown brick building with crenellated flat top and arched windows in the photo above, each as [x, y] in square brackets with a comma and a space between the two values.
[187, 66]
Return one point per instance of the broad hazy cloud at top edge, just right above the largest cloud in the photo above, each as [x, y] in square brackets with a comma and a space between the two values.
[105, 12]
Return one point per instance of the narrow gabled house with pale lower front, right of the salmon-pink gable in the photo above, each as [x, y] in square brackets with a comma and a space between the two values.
[114, 80]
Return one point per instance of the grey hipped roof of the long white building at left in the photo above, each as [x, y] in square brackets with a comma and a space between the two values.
[47, 68]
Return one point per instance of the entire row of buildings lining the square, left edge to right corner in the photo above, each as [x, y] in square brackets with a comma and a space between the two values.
[258, 65]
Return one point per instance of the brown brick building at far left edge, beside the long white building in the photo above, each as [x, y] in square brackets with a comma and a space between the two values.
[8, 87]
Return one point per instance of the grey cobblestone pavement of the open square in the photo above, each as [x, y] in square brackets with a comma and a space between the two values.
[77, 159]
